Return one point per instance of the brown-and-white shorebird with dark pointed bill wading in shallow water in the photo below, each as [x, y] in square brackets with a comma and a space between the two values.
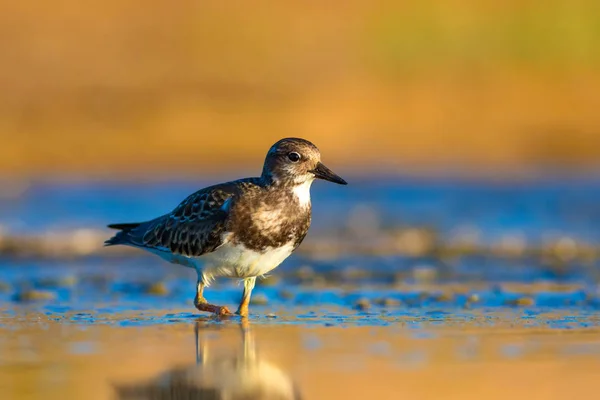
[241, 229]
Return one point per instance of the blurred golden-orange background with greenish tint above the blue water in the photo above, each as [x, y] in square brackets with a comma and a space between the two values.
[133, 88]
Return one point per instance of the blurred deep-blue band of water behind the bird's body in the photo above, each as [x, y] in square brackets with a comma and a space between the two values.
[568, 205]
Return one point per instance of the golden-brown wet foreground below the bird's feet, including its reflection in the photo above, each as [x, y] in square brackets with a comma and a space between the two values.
[42, 358]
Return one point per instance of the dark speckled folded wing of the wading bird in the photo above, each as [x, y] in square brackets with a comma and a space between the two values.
[193, 228]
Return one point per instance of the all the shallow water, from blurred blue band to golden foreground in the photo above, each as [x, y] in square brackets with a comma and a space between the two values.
[354, 325]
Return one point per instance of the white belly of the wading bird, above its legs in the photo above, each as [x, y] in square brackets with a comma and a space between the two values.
[236, 261]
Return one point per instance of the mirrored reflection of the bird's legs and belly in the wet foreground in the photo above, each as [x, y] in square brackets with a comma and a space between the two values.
[241, 375]
